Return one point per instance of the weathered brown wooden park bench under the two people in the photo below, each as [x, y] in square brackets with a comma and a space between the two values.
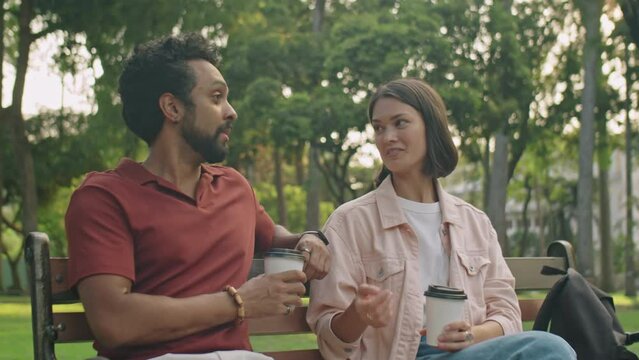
[49, 286]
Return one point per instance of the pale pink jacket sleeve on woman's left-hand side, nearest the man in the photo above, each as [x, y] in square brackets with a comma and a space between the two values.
[331, 295]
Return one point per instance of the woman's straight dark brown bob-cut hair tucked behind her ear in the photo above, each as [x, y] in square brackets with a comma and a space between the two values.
[441, 153]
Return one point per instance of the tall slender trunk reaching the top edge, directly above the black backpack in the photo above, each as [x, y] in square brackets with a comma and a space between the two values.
[591, 12]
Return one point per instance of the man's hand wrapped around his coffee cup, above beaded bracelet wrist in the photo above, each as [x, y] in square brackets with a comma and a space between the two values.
[273, 294]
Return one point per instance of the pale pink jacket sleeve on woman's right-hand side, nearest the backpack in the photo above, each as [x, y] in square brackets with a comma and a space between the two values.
[502, 305]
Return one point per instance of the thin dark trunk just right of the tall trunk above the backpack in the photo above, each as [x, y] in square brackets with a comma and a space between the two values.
[607, 270]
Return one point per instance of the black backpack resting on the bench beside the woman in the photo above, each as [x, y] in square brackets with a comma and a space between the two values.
[585, 317]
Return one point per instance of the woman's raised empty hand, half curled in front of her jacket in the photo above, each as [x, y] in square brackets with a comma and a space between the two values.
[373, 305]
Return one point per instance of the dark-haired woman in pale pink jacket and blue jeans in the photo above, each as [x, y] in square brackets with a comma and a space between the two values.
[390, 244]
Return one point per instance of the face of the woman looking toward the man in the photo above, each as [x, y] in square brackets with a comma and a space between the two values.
[400, 135]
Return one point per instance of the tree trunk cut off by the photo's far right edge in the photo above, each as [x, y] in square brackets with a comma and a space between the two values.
[630, 276]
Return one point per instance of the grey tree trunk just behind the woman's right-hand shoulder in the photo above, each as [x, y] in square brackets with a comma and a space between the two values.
[498, 190]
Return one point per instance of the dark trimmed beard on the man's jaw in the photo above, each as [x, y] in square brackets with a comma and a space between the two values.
[208, 146]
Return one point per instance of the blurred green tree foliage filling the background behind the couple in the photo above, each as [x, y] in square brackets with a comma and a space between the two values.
[292, 87]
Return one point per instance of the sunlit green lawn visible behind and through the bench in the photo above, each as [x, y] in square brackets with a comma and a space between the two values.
[16, 341]
